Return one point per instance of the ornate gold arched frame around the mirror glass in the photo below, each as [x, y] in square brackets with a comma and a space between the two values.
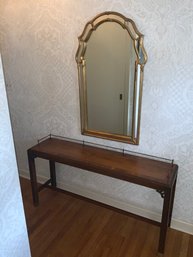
[141, 57]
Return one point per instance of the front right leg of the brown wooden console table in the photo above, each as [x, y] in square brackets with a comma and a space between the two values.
[165, 220]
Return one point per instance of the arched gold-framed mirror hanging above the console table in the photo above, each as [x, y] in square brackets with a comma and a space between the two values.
[110, 60]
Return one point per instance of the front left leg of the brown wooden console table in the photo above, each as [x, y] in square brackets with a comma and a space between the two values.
[33, 178]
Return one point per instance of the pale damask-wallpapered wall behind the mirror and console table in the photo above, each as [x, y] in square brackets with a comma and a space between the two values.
[39, 42]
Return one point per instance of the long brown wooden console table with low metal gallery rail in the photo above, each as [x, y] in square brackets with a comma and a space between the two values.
[155, 174]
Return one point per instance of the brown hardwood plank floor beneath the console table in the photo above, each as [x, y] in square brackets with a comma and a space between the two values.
[67, 226]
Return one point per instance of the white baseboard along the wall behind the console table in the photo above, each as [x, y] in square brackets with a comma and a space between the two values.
[103, 198]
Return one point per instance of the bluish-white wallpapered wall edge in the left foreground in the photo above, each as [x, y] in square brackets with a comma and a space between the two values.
[13, 232]
